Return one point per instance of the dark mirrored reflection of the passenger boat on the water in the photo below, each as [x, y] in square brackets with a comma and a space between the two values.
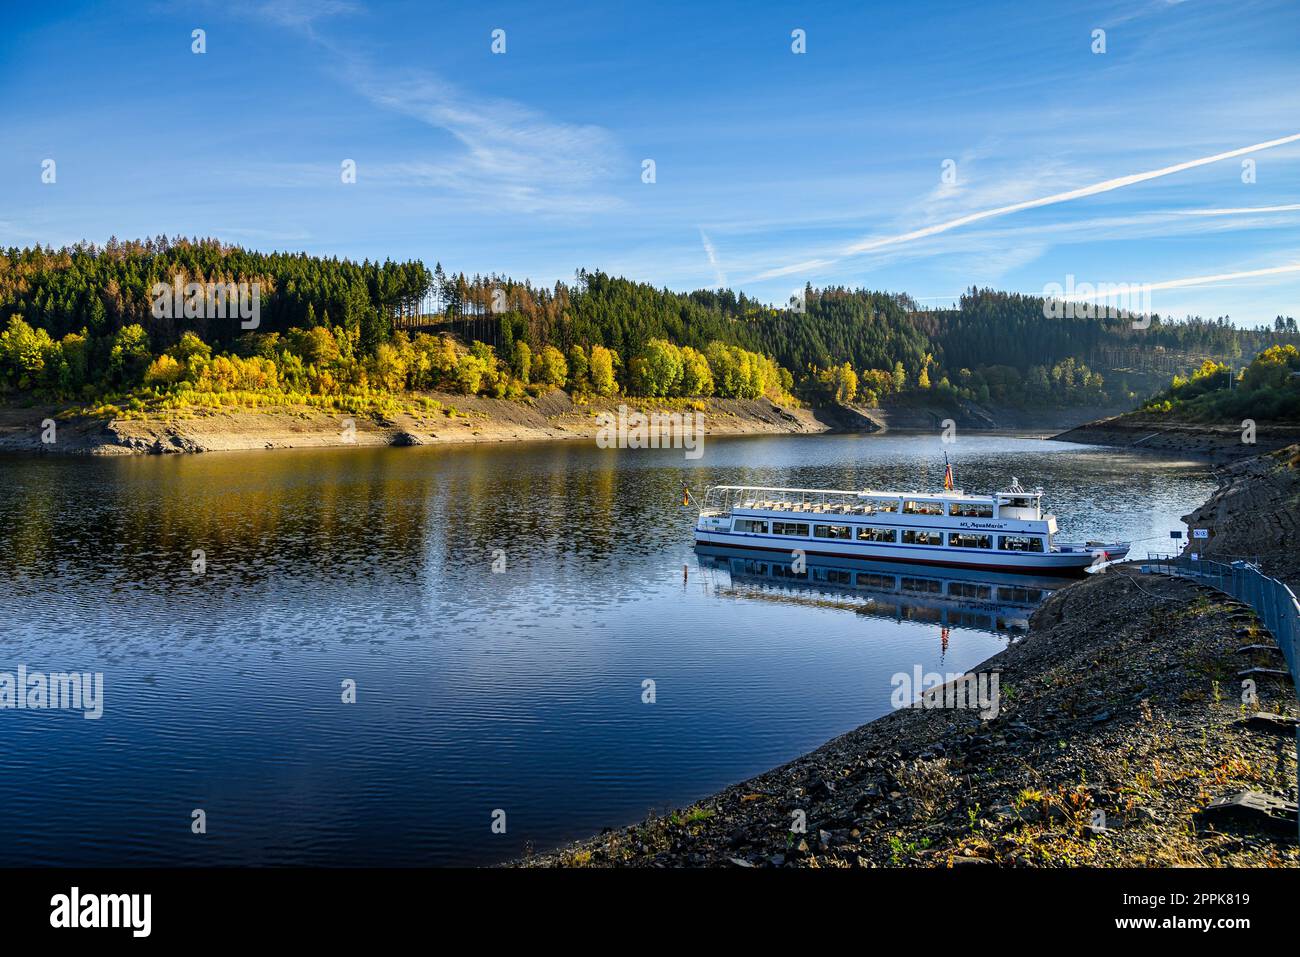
[998, 603]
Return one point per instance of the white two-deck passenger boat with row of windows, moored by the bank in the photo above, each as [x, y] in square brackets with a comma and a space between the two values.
[1006, 531]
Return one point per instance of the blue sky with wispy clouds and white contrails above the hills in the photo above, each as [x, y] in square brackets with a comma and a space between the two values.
[773, 168]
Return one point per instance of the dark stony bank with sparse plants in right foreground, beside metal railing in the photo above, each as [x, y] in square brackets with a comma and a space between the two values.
[1121, 724]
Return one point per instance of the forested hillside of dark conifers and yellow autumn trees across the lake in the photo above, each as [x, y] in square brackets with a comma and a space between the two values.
[84, 324]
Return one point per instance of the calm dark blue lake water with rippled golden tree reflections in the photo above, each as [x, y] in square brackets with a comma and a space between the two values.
[476, 691]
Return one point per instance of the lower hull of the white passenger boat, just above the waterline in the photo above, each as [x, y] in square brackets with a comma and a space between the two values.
[1028, 562]
